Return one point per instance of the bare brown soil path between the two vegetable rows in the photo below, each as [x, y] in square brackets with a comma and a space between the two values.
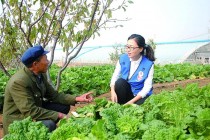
[157, 89]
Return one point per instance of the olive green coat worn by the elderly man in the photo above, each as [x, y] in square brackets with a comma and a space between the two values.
[24, 97]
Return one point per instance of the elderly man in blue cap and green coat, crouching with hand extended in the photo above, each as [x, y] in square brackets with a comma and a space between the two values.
[28, 93]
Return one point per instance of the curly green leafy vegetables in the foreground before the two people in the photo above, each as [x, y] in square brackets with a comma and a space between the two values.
[177, 115]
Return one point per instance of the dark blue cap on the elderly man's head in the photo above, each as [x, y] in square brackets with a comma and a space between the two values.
[31, 54]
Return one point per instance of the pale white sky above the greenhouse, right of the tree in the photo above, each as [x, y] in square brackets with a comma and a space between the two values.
[162, 21]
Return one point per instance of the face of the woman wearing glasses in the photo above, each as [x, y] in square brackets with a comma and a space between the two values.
[133, 50]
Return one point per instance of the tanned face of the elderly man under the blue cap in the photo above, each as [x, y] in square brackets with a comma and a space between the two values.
[42, 64]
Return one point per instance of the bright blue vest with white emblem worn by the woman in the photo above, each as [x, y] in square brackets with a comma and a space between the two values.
[137, 79]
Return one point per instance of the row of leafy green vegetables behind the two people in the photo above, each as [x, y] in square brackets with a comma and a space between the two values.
[78, 80]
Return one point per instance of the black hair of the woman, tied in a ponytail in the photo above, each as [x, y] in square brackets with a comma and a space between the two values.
[147, 49]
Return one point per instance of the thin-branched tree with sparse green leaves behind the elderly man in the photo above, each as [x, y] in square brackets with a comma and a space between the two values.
[57, 23]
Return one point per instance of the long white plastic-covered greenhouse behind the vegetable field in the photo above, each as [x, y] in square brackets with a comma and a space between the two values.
[165, 53]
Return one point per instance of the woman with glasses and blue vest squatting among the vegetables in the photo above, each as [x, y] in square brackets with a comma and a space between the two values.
[132, 79]
